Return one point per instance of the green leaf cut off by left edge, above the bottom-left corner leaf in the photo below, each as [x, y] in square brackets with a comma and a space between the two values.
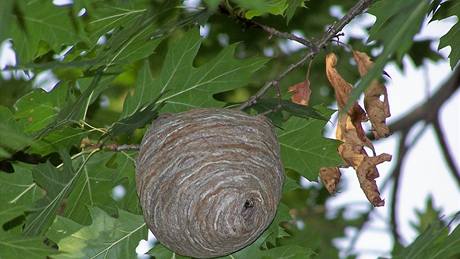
[17, 193]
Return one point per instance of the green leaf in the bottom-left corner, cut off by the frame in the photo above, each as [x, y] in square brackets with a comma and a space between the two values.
[13, 246]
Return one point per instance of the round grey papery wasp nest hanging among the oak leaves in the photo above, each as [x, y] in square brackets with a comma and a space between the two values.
[209, 180]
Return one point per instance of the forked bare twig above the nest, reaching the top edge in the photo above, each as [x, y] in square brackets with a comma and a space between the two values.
[313, 46]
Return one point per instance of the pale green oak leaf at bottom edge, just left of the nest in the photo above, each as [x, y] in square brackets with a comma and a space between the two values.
[106, 237]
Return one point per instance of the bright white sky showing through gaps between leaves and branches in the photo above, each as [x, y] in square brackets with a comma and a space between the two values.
[424, 173]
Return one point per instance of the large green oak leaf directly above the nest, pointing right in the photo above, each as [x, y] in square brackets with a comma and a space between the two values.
[179, 83]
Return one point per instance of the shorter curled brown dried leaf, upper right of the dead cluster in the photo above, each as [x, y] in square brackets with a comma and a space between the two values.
[377, 110]
